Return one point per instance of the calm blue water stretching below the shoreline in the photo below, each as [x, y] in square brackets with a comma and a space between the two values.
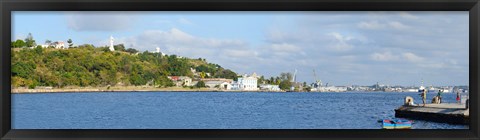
[211, 110]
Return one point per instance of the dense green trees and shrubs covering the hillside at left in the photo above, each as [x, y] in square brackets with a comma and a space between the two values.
[86, 65]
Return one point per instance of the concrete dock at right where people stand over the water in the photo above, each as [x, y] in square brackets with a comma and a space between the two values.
[445, 113]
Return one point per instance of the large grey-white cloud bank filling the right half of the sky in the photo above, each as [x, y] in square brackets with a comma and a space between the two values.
[386, 43]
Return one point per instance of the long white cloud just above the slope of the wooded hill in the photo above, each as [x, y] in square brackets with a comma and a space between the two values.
[230, 53]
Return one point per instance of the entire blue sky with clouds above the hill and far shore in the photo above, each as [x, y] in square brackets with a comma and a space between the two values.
[344, 48]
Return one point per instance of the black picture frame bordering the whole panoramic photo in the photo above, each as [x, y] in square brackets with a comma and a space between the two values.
[7, 6]
